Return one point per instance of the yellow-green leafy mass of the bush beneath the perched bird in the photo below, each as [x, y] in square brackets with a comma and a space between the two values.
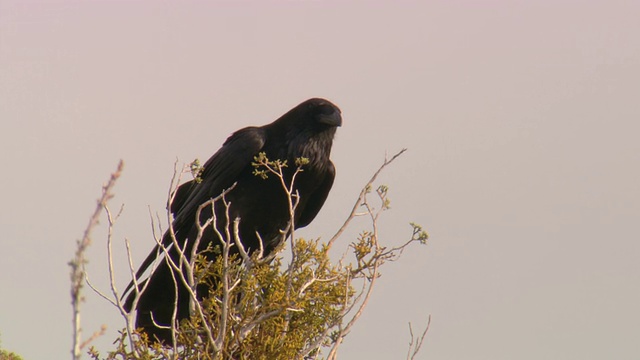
[273, 311]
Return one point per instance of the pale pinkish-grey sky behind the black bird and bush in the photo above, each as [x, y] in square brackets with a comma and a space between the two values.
[522, 120]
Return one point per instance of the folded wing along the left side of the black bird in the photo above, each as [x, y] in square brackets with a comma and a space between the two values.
[220, 172]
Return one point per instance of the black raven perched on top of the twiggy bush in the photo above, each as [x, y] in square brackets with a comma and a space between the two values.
[306, 131]
